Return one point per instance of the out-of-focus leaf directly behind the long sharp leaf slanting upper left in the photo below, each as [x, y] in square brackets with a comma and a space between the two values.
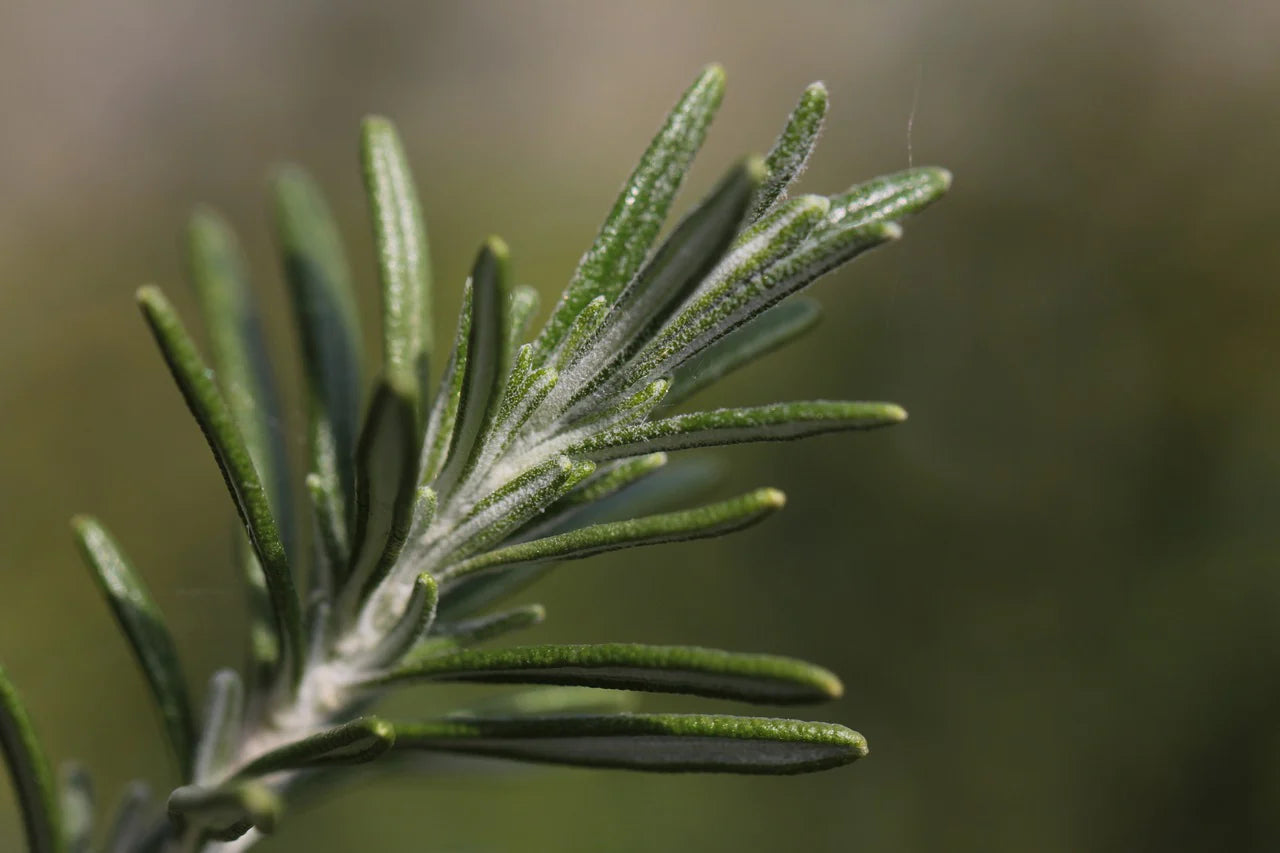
[240, 358]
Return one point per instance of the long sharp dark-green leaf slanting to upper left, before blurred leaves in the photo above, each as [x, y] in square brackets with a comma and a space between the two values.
[237, 468]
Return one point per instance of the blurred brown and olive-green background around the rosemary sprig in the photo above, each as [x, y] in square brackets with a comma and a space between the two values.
[1054, 595]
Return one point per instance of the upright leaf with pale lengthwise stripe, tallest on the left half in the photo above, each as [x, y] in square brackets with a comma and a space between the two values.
[404, 259]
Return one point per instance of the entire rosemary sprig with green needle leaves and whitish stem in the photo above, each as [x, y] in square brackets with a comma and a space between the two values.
[429, 509]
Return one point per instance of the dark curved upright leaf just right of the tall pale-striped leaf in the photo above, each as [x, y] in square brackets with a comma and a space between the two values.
[486, 364]
